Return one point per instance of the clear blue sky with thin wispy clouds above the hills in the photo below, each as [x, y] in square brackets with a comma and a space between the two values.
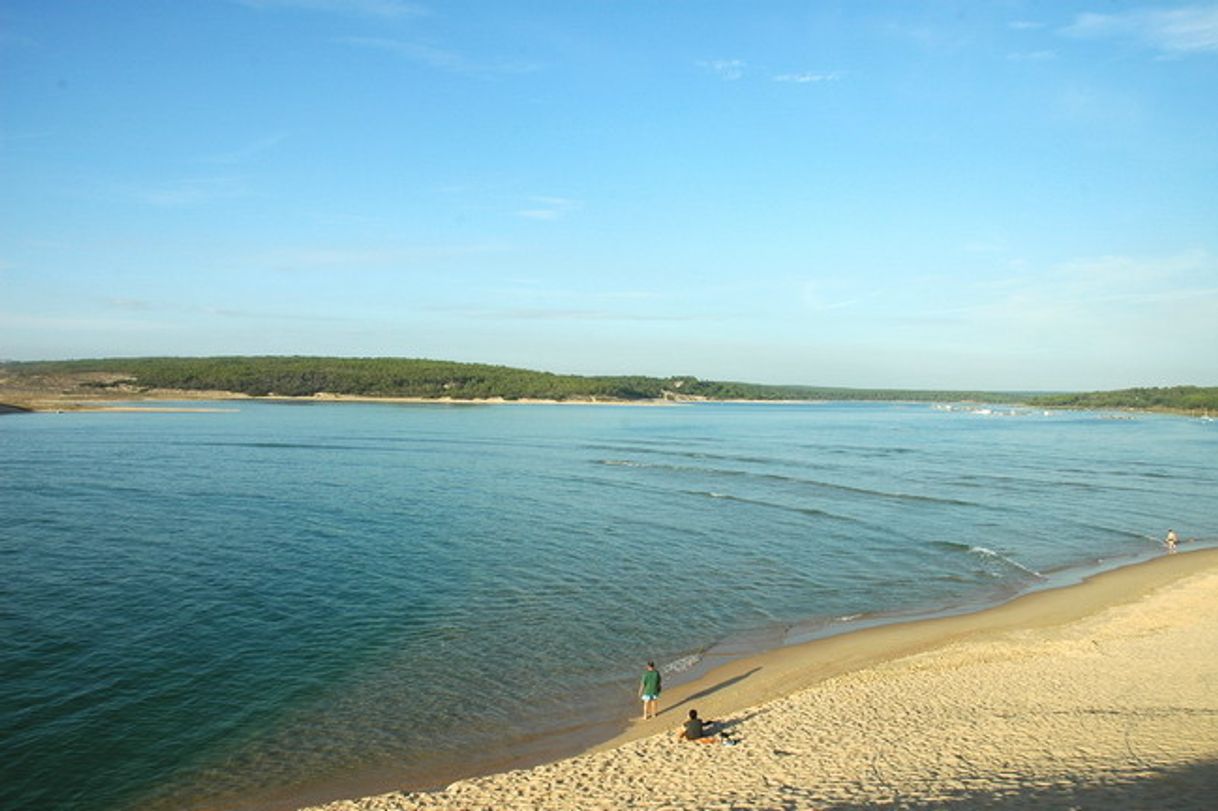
[1004, 195]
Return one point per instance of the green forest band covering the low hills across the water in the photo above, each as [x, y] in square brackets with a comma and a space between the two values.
[303, 377]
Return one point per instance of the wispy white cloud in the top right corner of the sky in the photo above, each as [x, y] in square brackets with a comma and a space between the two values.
[1178, 32]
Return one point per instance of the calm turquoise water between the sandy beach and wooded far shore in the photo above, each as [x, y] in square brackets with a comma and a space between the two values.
[200, 611]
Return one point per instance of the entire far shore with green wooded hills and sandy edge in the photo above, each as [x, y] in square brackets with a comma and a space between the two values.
[90, 385]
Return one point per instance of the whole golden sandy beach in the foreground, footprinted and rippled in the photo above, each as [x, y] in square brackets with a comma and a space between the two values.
[1102, 696]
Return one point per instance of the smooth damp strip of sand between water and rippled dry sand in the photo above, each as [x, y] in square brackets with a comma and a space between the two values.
[731, 687]
